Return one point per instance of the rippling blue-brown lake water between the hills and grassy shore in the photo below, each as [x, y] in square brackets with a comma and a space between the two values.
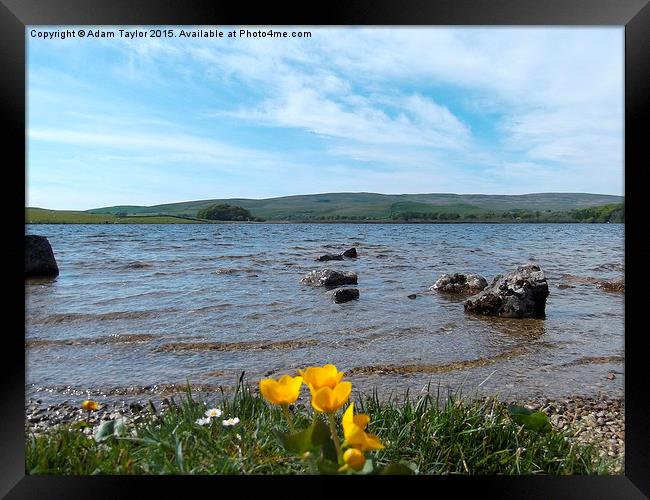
[137, 308]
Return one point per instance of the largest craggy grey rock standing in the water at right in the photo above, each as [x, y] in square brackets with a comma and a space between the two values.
[520, 294]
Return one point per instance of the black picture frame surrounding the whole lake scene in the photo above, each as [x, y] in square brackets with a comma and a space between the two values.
[634, 15]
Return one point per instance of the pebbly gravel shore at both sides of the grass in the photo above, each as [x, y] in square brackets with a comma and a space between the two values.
[599, 421]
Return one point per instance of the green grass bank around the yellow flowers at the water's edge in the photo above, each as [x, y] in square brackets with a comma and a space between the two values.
[457, 437]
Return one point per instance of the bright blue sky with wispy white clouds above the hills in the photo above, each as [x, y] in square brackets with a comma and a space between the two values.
[149, 120]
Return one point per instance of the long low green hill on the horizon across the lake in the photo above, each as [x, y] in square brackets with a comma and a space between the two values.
[373, 206]
